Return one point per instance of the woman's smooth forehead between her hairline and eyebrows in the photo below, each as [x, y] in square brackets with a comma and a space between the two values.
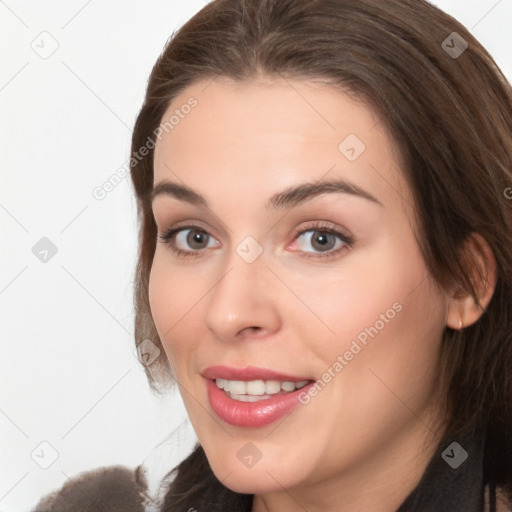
[266, 134]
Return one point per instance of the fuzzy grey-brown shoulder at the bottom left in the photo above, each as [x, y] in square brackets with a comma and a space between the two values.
[114, 488]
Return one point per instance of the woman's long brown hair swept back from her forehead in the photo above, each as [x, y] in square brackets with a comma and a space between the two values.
[451, 118]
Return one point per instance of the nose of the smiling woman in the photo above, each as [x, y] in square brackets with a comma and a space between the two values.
[243, 303]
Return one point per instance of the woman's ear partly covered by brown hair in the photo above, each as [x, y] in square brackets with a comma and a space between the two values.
[461, 306]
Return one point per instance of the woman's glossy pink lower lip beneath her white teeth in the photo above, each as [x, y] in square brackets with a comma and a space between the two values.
[252, 414]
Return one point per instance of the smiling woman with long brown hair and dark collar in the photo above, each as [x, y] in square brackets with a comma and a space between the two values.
[324, 191]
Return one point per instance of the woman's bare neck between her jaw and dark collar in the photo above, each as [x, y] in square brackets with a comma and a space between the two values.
[380, 482]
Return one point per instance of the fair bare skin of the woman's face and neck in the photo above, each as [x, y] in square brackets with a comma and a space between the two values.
[364, 441]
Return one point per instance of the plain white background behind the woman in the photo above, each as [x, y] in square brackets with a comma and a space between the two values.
[68, 373]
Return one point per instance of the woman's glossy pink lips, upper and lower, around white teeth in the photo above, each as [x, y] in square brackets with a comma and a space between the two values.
[250, 414]
